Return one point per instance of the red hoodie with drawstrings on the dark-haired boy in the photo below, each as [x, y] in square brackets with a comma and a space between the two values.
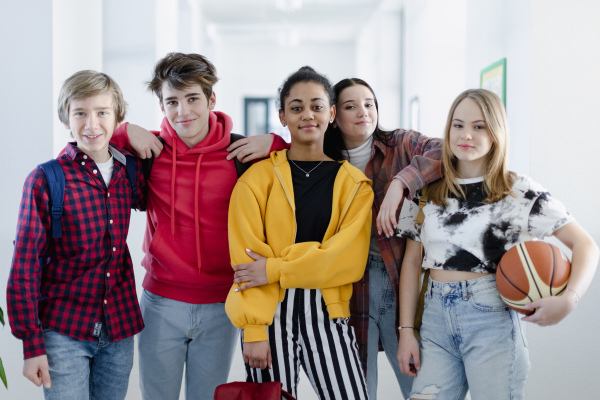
[185, 245]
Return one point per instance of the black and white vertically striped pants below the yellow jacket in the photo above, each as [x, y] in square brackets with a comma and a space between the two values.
[302, 335]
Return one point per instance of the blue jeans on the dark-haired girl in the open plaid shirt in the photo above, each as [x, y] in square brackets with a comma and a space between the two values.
[382, 326]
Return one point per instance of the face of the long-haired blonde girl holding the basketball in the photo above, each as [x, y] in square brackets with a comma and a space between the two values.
[470, 140]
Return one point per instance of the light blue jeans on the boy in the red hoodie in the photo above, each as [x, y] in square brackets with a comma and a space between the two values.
[177, 334]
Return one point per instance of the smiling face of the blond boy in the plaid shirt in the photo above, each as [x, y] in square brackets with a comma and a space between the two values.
[92, 123]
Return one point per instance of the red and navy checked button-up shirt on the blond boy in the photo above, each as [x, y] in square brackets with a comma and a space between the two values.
[87, 275]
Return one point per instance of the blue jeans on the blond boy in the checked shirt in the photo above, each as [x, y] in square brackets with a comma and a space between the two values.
[82, 370]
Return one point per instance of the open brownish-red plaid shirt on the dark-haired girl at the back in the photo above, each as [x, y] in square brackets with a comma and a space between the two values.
[415, 160]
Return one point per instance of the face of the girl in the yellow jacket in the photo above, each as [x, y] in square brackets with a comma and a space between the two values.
[307, 113]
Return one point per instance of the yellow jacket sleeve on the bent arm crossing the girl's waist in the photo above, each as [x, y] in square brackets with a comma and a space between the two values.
[339, 260]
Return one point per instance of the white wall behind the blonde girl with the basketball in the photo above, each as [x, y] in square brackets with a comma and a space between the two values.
[553, 98]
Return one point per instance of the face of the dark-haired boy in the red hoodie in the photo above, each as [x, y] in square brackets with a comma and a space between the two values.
[187, 111]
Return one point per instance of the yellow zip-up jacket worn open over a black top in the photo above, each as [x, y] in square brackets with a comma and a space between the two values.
[262, 219]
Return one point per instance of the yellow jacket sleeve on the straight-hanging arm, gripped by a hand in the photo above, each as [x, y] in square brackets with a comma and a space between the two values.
[254, 308]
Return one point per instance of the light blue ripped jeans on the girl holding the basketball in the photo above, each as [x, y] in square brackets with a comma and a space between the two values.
[470, 341]
